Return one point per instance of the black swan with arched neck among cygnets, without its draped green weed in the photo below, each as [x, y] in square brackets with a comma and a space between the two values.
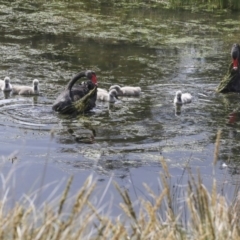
[72, 92]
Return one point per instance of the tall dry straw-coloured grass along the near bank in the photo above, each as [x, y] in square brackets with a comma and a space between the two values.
[191, 213]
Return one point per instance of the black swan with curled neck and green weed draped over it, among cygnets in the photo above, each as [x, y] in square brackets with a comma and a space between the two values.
[67, 101]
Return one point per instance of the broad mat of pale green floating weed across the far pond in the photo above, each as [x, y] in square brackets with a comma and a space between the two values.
[60, 17]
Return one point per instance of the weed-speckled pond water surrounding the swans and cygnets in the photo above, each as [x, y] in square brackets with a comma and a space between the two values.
[160, 50]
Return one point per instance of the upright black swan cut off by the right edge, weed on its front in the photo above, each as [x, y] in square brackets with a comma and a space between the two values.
[231, 81]
